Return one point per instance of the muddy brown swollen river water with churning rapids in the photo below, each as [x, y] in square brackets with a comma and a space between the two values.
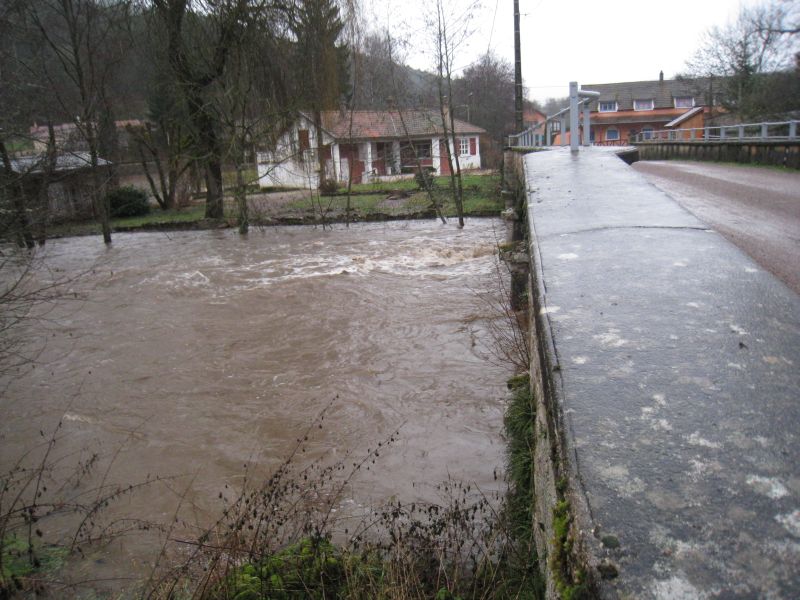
[193, 354]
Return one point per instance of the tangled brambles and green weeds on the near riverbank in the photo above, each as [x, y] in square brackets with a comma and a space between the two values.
[281, 539]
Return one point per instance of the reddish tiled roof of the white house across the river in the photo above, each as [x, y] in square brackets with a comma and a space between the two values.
[390, 124]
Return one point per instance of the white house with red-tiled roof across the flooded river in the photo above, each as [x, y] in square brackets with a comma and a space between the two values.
[373, 145]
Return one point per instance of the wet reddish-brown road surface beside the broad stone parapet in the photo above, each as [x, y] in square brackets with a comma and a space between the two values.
[756, 208]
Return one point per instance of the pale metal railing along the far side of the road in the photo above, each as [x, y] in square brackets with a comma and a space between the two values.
[768, 131]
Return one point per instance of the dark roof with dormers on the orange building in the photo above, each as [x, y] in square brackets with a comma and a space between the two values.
[662, 92]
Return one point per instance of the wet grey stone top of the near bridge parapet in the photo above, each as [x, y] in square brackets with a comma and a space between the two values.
[678, 374]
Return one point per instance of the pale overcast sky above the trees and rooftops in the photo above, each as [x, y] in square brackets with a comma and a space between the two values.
[613, 40]
